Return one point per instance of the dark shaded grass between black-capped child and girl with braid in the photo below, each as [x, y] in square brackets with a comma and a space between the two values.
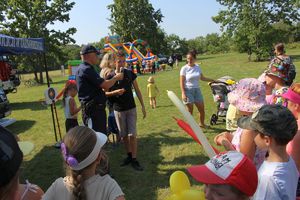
[44, 168]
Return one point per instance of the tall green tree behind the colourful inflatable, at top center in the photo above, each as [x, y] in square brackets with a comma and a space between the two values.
[137, 19]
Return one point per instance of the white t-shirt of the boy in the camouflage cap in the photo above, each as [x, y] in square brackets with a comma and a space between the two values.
[277, 181]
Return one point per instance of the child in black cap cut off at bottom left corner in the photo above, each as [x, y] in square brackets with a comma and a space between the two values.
[11, 158]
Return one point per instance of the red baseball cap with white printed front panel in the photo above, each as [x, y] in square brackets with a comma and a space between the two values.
[230, 168]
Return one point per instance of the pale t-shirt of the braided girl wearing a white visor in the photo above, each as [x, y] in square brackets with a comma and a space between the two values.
[97, 188]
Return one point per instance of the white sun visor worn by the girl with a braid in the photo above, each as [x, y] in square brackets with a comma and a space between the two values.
[72, 161]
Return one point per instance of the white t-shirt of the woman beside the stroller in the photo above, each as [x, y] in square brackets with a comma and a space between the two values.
[192, 75]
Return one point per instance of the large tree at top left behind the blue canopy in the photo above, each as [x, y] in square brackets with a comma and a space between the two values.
[31, 19]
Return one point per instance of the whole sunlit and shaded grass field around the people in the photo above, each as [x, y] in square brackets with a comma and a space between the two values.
[163, 147]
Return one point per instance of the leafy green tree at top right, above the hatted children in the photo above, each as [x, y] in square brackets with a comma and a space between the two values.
[250, 21]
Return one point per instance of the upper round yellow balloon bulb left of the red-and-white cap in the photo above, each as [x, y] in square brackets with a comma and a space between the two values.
[179, 182]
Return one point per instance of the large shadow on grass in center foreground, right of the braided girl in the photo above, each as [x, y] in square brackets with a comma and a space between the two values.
[145, 184]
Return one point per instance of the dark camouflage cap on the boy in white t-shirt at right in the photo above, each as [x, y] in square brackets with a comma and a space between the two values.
[272, 120]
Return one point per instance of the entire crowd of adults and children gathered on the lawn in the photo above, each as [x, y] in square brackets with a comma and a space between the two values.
[262, 142]
